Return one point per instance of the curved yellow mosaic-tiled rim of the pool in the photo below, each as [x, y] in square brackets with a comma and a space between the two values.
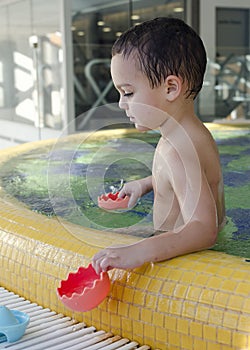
[199, 301]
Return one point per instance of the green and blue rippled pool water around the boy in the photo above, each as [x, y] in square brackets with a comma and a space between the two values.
[66, 180]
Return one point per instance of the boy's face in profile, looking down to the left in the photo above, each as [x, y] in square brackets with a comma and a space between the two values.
[145, 107]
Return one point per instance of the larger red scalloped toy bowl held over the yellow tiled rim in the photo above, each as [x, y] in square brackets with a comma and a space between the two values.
[84, 290]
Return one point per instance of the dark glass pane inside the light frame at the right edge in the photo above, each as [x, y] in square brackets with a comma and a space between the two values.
[232, 85]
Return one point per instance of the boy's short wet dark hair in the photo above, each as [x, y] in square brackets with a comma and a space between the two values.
[165, 46]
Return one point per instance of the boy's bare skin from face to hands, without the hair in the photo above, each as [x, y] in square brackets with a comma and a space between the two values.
[186, 176]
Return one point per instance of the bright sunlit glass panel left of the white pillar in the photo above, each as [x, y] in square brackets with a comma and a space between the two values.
[30, 65]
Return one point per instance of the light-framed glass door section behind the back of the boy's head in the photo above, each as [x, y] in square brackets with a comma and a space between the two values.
[225, 96]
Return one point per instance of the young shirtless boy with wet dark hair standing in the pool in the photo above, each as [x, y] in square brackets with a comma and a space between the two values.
[158, 69]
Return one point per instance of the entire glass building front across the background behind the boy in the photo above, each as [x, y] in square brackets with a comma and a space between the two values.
[39, 38]
